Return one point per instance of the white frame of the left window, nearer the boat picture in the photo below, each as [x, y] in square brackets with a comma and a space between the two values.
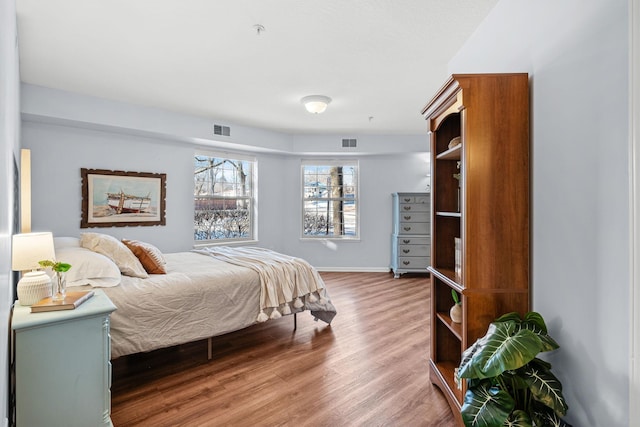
[252, 198]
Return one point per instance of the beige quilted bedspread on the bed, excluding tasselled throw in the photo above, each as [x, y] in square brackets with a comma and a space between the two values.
[199, 297]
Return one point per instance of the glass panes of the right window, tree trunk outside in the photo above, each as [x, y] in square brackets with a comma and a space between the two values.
[330, 199]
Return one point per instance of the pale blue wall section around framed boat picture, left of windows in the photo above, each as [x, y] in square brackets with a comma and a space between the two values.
[59, 152]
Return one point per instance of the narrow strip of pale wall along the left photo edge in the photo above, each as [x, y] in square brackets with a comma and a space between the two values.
[9, 143]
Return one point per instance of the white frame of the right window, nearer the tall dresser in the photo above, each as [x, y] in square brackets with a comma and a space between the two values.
[356, 199]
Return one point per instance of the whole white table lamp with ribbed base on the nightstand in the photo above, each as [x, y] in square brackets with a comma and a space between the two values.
[26, 250]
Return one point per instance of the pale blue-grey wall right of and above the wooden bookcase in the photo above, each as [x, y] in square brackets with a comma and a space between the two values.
[577, 55]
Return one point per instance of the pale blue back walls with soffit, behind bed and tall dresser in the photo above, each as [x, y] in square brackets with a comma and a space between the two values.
[62, 123]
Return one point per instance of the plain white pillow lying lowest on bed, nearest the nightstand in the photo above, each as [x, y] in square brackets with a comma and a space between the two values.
[88, 267]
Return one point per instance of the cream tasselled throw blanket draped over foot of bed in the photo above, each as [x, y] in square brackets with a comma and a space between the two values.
[284, 279]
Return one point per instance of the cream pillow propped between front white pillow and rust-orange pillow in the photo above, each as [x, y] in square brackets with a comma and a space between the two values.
[113, 248]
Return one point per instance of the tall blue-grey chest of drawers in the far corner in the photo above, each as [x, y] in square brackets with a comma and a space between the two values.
[410, 241]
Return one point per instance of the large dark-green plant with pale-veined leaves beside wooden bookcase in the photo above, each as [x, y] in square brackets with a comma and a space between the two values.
[507, 385]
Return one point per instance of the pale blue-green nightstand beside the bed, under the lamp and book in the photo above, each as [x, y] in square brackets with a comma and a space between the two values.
[62, 365]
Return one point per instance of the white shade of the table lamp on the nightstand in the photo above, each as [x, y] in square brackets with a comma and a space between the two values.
[29, 248]
